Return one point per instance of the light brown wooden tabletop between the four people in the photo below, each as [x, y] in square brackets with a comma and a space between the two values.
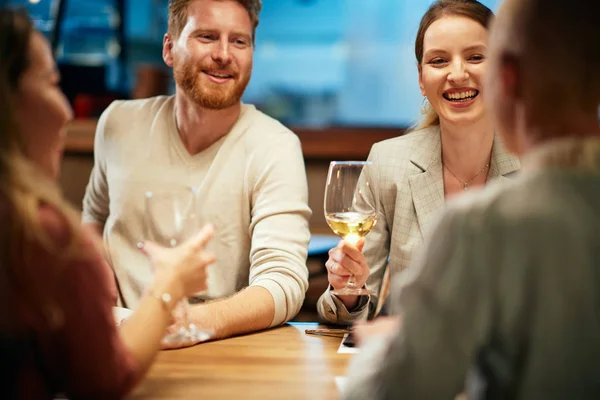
[282, 363]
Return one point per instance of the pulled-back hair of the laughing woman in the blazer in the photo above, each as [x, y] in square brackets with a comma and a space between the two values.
[466, 8]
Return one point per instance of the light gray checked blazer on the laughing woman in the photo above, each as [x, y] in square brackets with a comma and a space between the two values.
[407, 175]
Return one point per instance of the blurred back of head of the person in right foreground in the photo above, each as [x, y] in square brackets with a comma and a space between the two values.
[557, 47]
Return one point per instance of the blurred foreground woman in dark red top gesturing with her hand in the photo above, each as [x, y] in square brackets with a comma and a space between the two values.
[57, 332]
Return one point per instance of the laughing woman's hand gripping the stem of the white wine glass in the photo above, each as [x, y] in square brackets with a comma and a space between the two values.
[347, 260]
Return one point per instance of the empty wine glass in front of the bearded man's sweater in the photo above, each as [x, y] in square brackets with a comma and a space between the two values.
[172, 217]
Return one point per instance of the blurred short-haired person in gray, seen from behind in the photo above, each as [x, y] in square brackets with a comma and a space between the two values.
[505, 294]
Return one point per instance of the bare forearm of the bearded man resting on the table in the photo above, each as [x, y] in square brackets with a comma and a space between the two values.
[249, 310]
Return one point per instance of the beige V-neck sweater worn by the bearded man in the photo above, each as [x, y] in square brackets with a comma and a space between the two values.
[252, 185]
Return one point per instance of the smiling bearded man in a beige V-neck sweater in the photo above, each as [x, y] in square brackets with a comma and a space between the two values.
[246, 170]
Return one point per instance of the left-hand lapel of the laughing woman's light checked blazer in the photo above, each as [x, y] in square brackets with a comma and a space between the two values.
[426, 181]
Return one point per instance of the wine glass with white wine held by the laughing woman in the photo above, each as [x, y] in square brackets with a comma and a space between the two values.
[350, 209]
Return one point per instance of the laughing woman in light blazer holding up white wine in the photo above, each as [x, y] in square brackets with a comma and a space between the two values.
[452, 150]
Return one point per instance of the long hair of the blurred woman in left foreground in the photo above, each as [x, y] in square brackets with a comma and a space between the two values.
[23, 187]
